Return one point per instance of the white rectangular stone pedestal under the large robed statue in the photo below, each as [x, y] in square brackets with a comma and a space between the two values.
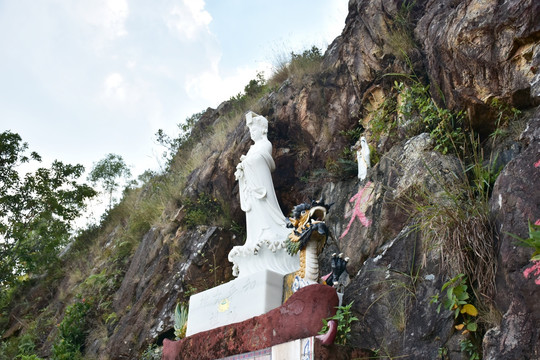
[235, 301]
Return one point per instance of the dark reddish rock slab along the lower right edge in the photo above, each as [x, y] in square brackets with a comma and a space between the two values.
[516, 201]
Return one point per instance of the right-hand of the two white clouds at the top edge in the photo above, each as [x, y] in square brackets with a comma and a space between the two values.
[189, 19]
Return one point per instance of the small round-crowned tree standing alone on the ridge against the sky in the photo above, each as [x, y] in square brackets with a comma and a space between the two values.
[109, 171]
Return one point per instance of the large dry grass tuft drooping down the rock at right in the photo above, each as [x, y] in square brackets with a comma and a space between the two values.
[456, 224]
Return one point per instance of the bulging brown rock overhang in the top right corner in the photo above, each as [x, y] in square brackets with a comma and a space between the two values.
[480, 50]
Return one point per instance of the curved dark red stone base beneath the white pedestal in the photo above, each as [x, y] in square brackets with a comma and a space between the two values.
[299, 317]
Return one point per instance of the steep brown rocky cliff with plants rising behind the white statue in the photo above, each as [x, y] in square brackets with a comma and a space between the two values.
[446, 93]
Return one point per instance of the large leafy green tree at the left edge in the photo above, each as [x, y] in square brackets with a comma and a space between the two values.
[36, 211]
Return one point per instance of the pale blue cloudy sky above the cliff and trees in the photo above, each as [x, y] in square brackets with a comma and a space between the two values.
[80, 79]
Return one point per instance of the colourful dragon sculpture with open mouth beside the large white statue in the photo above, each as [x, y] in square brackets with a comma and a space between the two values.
[308, 236]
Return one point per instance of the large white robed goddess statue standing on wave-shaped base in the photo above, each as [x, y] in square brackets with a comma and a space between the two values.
[265, 222]
